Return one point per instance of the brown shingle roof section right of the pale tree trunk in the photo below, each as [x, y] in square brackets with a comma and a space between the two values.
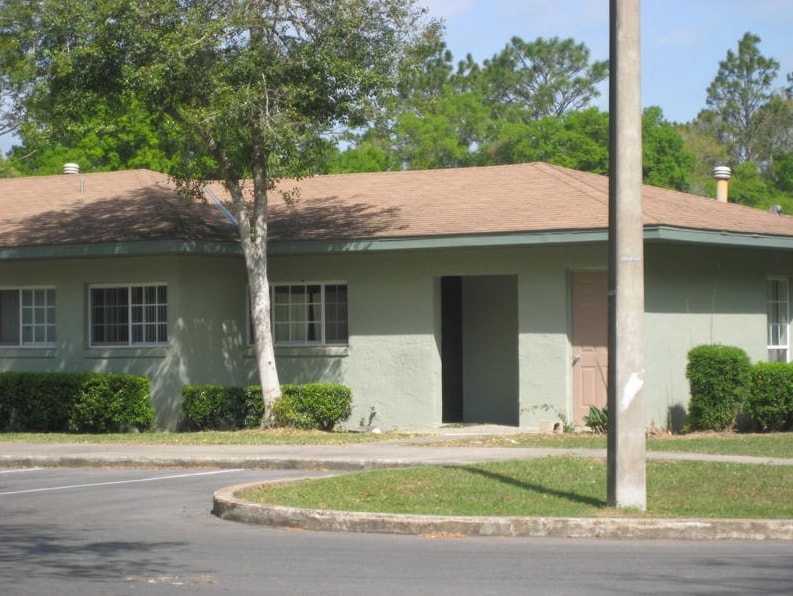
[488, 200]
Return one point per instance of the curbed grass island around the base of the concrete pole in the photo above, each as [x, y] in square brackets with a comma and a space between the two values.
[552, 486]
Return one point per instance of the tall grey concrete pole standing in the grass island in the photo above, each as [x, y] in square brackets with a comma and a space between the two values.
[627, 484]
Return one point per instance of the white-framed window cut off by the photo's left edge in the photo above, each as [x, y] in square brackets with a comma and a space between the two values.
[33, 316]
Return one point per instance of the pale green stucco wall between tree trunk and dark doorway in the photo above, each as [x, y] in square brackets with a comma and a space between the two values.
[393, 362]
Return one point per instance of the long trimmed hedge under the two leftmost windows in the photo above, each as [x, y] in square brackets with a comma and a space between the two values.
[74, 402]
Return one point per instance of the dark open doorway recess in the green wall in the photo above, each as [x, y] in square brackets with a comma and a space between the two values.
[479, 339]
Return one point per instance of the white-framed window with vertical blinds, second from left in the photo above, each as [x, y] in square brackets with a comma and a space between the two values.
[141, 317]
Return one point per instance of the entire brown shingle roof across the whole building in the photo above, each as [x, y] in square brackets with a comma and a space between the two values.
[143, 205]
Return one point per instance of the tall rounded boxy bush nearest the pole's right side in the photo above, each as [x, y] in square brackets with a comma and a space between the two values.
[720, 380]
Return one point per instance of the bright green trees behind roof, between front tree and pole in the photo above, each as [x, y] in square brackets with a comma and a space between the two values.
[446, 116]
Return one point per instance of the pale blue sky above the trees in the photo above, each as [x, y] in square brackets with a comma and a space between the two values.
[682, 40]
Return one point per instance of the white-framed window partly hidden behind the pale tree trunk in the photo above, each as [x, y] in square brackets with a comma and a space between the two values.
[295, 330]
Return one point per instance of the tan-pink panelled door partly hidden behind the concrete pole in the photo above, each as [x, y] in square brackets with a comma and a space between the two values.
[590, 342]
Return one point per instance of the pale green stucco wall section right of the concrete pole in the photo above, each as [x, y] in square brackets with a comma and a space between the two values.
[696, 296]
